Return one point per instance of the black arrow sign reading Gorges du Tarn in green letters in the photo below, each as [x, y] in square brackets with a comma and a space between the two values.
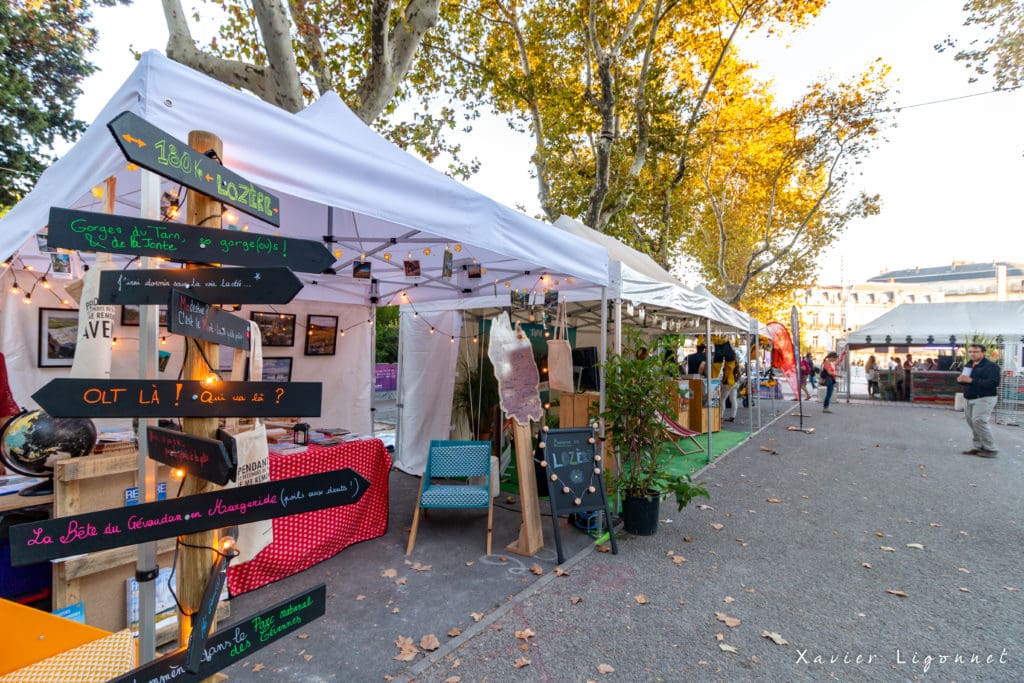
[86, 231]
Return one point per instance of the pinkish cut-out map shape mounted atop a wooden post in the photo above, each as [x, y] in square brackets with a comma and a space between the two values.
[517, 372]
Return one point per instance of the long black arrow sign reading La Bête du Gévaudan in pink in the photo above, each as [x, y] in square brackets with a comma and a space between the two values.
[116, 528]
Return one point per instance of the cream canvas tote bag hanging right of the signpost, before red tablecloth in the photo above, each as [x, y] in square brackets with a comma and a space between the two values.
[254, 457]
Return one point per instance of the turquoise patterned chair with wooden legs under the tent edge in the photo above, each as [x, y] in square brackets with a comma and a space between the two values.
[455, 460]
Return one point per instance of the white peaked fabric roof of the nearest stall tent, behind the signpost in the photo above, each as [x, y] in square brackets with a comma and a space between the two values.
[328, 169]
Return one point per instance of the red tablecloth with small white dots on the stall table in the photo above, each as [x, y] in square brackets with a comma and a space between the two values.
[303, 541]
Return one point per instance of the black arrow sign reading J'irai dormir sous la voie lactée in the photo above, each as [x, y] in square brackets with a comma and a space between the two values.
[221, 286]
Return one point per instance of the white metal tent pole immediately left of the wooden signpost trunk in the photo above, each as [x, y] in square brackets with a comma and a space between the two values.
[147, 552]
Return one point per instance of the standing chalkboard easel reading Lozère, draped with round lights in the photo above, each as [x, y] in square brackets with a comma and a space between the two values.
[574, 472]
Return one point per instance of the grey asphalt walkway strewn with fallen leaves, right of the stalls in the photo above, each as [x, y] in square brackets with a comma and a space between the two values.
[804, 543]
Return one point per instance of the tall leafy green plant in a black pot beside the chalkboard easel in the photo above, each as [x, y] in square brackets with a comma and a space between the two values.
[635, 395]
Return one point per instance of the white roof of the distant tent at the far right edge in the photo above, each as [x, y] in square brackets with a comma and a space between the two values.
[943, 321]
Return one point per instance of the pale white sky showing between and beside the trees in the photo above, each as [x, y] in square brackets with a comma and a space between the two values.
[950, 175]
